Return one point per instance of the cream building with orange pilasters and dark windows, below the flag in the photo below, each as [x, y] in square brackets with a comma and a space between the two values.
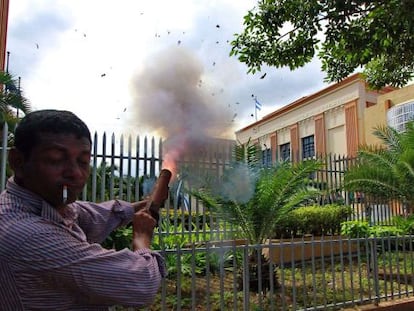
[331, 121]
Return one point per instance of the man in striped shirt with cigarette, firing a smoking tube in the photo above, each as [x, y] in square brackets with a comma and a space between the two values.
[50, 258]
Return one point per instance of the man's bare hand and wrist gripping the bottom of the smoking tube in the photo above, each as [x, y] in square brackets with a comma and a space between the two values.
[143, 226]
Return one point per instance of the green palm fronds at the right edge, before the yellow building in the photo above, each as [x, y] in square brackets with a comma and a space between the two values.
[388, 172]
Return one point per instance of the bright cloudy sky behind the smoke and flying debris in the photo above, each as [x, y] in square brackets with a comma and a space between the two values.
[146, 67]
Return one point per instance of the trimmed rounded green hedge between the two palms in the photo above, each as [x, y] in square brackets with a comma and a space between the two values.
[315, 220]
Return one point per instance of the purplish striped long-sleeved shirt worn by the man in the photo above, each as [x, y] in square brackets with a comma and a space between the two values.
[54, 262]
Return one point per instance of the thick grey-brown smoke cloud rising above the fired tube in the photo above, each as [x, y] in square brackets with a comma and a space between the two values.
[174, 99]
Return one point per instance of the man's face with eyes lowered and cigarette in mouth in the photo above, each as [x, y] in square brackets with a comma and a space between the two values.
[58, 160]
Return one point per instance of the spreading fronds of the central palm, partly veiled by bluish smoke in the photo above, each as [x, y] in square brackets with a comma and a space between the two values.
[257, 199]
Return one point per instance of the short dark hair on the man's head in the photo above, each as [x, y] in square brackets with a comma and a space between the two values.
[27, 133]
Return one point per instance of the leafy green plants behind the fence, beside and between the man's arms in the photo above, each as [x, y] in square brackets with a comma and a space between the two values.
[174, 240]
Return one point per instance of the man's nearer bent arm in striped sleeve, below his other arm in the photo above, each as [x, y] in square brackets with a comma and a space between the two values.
[87, 271]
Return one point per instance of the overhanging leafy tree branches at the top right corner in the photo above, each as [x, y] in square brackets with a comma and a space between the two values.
[375, 36]
